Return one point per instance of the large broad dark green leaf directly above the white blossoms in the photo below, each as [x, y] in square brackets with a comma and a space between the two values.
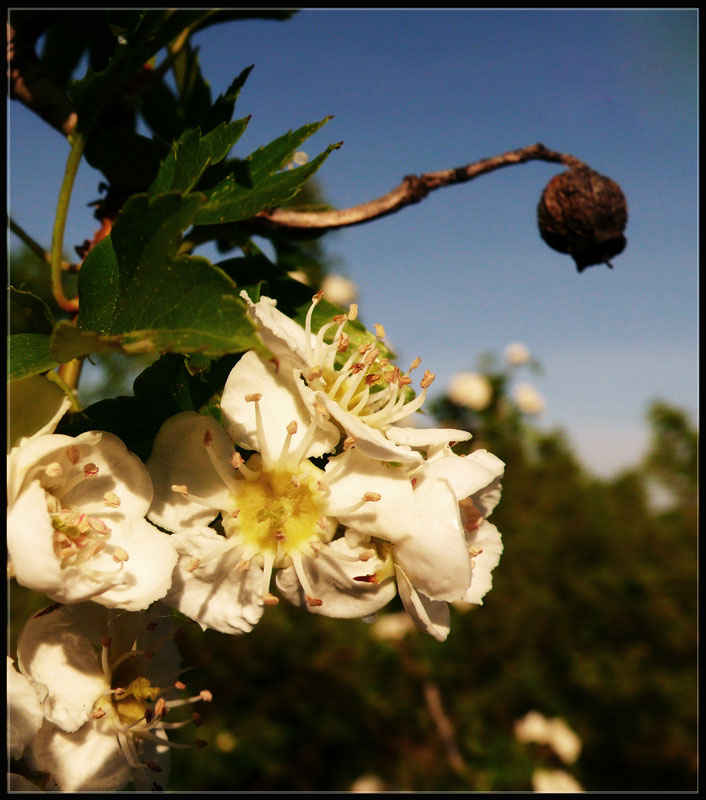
[132, 284]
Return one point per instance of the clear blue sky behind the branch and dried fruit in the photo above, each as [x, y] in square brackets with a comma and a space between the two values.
[465, 271]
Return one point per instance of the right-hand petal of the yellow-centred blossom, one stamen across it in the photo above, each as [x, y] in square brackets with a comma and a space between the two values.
[391, 517]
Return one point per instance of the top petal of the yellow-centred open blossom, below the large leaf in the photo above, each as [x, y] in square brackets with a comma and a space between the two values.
[279, 405]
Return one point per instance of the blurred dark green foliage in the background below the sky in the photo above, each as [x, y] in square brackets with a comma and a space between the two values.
[592, 617]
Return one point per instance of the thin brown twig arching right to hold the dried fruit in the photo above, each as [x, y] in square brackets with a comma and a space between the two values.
[412, 189]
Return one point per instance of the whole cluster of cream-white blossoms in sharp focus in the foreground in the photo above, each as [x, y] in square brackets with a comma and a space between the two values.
[306, 488]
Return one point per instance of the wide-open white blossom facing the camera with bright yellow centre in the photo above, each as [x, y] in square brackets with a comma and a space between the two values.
[275, 510]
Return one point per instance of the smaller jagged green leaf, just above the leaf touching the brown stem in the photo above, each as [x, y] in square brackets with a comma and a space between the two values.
[192, 153]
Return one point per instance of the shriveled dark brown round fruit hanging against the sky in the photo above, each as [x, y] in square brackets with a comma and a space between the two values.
[583, 214]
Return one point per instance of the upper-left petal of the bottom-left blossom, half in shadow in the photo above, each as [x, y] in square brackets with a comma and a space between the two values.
[59, 659]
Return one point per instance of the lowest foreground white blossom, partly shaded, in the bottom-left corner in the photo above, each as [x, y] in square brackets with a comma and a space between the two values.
[104, 674]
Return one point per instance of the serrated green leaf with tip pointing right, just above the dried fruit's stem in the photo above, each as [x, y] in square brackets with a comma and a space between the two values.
[231, 201]
